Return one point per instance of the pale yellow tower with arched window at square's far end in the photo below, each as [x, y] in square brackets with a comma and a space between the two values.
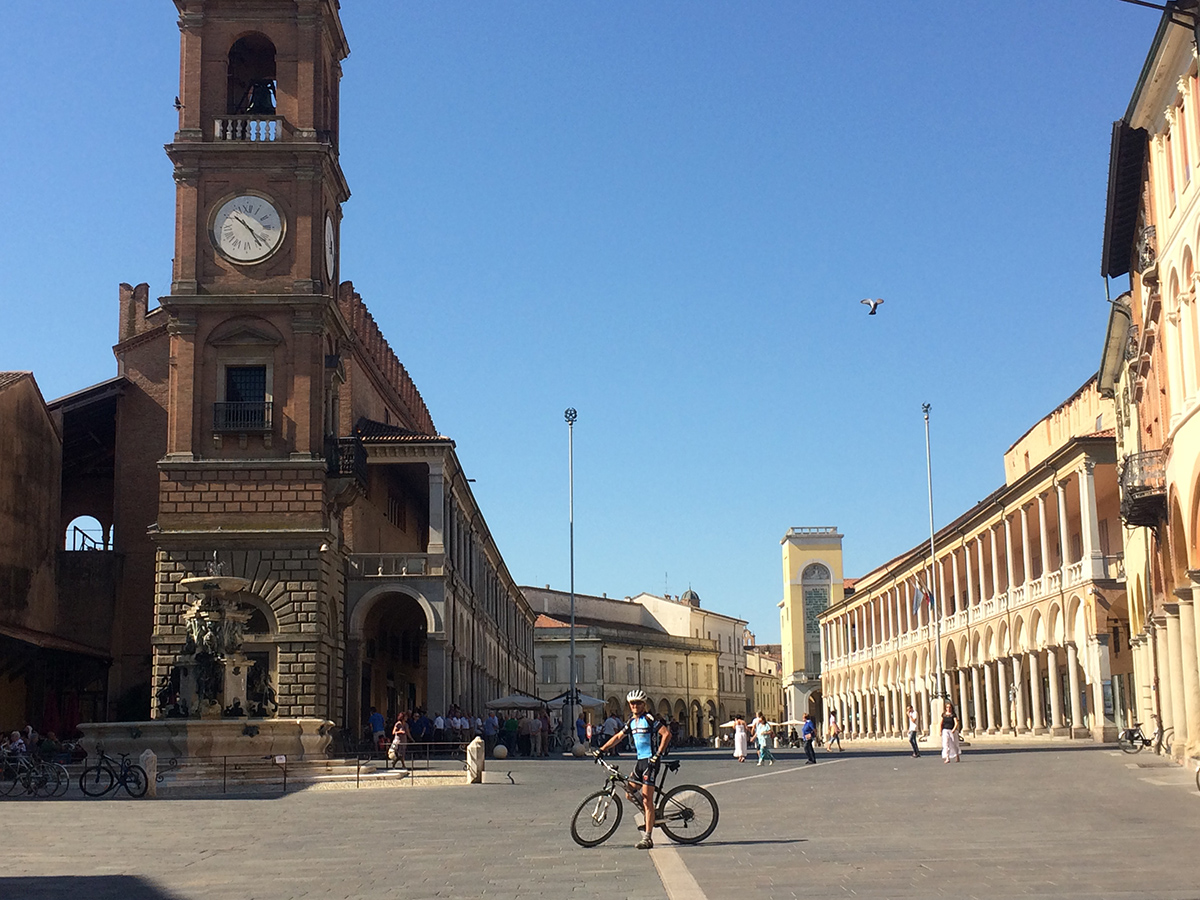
[812, 584]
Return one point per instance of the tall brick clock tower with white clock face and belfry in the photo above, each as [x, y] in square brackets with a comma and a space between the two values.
[256, 340]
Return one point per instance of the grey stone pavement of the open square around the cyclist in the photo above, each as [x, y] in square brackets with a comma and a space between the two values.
[1053, 820]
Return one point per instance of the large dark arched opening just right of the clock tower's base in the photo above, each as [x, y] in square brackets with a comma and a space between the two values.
[395, 657]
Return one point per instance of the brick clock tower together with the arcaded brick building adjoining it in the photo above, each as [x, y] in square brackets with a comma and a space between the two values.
[262, 427]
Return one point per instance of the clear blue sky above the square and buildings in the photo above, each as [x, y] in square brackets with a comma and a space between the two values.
[664, 215]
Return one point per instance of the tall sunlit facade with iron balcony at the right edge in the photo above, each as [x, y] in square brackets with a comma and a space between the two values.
[1151, 368]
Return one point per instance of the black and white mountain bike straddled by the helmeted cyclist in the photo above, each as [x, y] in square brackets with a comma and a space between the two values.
[687, 813]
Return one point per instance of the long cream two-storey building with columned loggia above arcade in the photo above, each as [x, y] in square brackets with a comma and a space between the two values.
[1023, 614]
